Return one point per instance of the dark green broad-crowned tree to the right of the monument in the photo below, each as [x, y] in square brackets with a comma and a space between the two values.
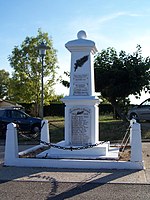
[119, 75]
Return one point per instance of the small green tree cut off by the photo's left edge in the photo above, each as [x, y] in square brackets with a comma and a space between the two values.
[4, 83]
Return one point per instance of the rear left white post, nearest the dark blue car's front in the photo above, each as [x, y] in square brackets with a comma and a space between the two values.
[45, 132]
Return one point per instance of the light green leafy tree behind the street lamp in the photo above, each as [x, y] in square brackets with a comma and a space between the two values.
[26, 76]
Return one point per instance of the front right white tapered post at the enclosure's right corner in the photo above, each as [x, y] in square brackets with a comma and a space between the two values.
[136, 143]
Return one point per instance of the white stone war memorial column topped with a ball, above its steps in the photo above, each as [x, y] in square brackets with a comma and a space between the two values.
[81, 111]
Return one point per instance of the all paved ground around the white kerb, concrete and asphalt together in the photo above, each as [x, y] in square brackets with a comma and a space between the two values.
[43, 183]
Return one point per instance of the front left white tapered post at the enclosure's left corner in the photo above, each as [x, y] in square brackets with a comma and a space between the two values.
[11, 145]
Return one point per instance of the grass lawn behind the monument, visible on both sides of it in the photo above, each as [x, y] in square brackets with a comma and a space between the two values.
[109, 129]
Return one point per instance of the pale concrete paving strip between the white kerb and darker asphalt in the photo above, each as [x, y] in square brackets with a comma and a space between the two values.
[42, 174]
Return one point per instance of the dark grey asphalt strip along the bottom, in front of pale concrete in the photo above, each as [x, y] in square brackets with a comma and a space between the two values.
[88, 191]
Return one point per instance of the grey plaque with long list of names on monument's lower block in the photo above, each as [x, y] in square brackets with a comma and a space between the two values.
[80, 125]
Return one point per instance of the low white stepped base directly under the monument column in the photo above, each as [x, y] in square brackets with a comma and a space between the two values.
[101, 151]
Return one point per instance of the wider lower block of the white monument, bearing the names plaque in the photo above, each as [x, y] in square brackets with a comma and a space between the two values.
[81, 121]
